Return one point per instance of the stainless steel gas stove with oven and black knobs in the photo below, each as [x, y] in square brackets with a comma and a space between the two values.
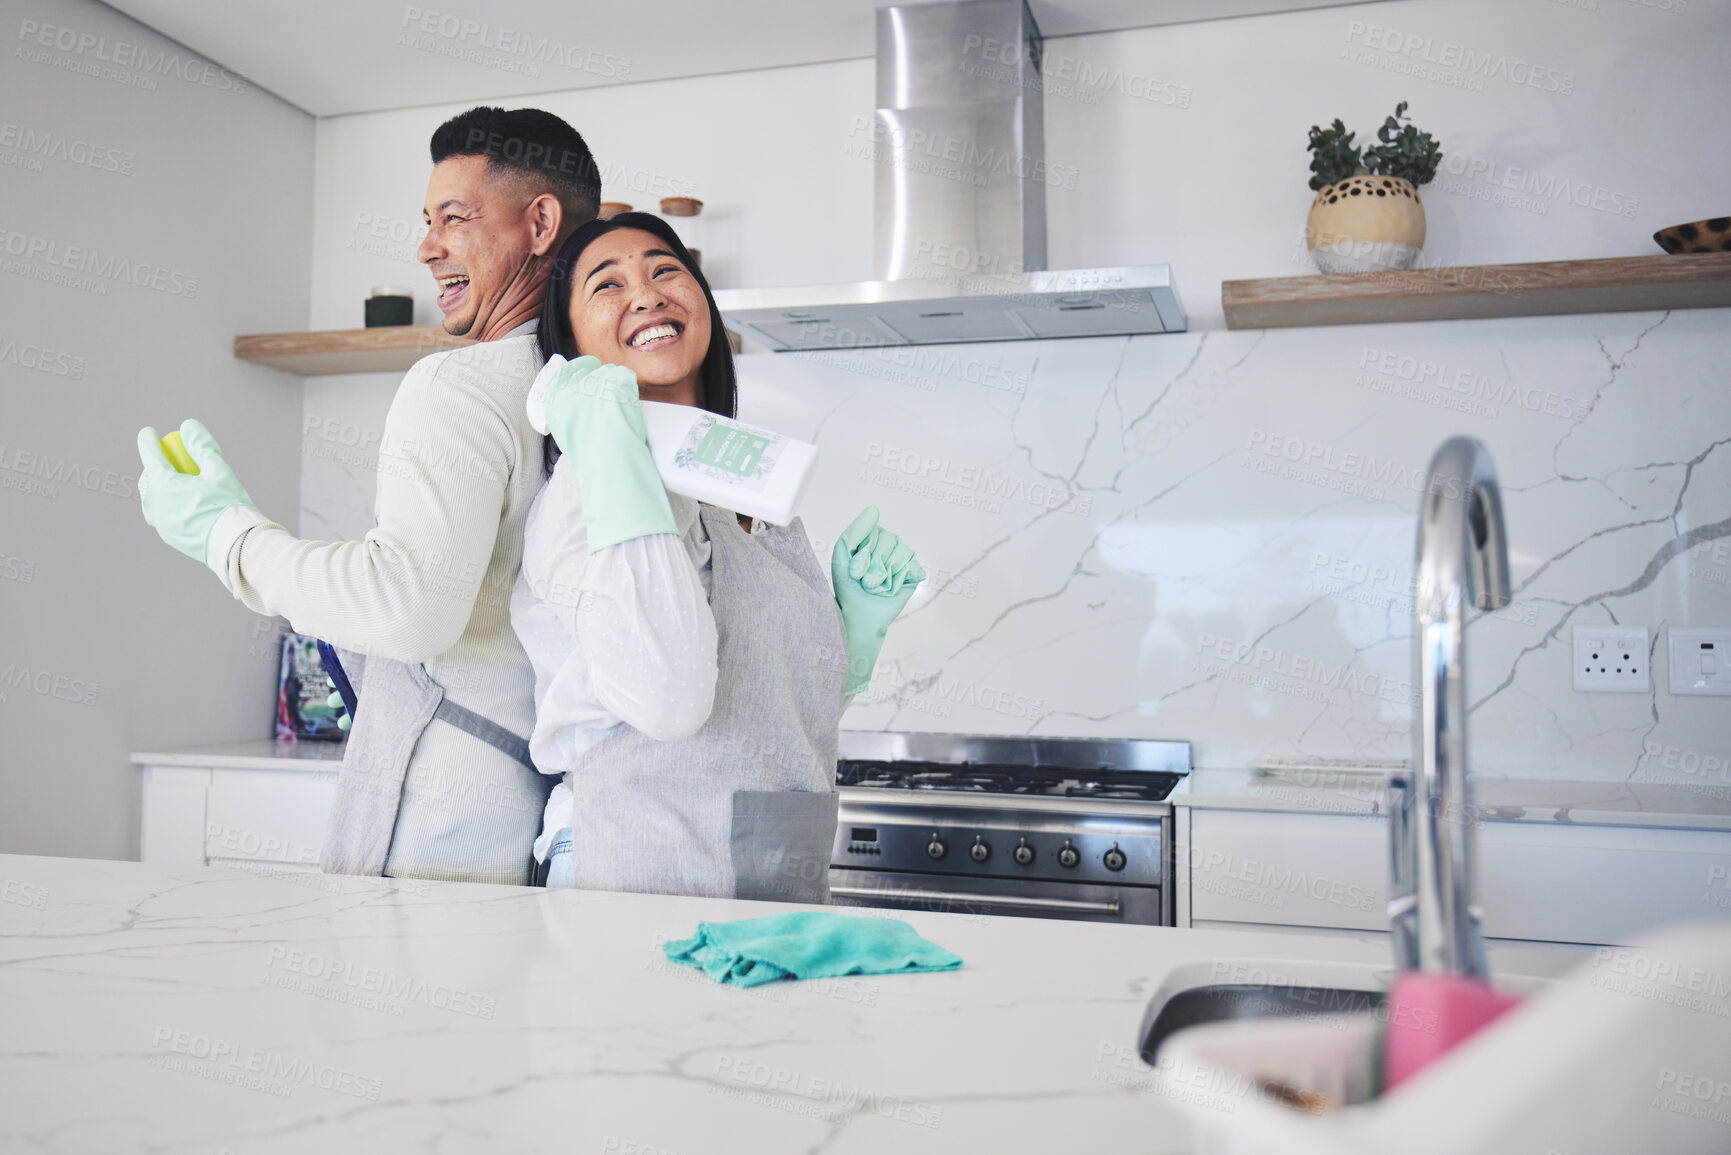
[1038, 827]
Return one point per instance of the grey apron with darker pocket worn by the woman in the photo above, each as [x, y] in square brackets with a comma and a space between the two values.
[747, 806]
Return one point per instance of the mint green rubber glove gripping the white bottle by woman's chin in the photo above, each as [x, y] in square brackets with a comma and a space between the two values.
[596, 418]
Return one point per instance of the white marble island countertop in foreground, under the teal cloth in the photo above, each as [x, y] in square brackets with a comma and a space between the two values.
[207, 1010]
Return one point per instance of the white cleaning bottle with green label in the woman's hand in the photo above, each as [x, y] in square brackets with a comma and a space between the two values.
[709, 458]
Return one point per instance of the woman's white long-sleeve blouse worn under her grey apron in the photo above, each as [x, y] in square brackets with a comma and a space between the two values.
[621, 638]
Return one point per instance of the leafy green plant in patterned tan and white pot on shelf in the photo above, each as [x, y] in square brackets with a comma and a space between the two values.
[1367, 214]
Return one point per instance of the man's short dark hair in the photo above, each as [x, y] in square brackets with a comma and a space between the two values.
[534, 145]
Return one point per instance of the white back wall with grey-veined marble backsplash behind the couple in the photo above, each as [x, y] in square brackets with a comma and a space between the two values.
[1173, 545]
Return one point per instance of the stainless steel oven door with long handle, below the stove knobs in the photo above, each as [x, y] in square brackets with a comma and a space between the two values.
[982, 898]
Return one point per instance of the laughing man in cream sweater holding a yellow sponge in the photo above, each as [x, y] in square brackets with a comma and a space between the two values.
[437, 780]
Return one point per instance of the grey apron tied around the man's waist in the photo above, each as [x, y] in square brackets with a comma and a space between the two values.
[402, 700]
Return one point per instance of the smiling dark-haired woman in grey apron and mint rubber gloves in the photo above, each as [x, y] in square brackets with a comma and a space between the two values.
[692, 668]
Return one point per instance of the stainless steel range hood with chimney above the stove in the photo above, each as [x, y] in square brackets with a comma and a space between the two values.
[962, 176]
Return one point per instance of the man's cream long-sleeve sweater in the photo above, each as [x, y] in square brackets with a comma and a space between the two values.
[460, 468]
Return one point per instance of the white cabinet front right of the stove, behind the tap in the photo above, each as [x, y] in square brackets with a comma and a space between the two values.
[1548, 882]
